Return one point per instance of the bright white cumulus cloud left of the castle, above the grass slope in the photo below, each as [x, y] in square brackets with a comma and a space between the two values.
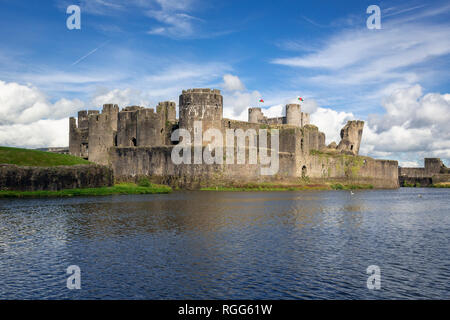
[28, 119]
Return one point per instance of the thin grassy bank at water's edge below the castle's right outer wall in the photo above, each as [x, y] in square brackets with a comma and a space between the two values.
[289, 187]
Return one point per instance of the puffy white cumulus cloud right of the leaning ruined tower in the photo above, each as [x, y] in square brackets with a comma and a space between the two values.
[414, 126]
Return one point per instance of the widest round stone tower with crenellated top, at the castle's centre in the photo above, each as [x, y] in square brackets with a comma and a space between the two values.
[204, 105]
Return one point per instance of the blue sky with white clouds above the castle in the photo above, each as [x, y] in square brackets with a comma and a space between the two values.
[143, 52]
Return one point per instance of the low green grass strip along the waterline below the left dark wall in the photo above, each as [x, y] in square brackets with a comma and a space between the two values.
[123, 188]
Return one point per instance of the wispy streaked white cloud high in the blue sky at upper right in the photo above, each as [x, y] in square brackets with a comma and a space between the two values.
[358, 64]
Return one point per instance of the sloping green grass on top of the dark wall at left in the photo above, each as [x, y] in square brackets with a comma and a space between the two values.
[27, 157]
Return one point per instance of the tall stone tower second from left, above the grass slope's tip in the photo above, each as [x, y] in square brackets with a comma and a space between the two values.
[102, 133]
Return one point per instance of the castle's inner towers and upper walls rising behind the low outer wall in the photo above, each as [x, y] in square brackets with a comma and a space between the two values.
[137, 126]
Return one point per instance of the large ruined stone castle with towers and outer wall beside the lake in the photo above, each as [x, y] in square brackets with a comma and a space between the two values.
[136, 141]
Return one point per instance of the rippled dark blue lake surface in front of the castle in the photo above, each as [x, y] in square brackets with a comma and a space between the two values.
[229, 245]
